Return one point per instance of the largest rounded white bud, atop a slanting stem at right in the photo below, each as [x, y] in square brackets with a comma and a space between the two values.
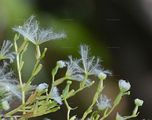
[124, 86]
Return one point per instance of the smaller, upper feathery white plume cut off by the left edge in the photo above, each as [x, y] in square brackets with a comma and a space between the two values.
[5, 52]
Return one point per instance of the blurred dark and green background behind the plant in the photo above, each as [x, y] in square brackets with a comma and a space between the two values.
[120, 32]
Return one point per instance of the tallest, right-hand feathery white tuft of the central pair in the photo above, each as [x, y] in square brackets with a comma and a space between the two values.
[90, 65]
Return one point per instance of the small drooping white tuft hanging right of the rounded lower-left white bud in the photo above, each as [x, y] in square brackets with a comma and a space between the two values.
[55, 95]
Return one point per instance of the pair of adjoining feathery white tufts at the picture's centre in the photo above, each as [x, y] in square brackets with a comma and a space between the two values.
[76, 68]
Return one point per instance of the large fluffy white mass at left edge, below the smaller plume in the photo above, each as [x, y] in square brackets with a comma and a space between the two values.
[8, 84]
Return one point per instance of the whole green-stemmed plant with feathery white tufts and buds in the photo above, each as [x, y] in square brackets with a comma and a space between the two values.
[38, 100]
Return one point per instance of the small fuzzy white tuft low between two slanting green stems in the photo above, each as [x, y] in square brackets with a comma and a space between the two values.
[103, 103]
